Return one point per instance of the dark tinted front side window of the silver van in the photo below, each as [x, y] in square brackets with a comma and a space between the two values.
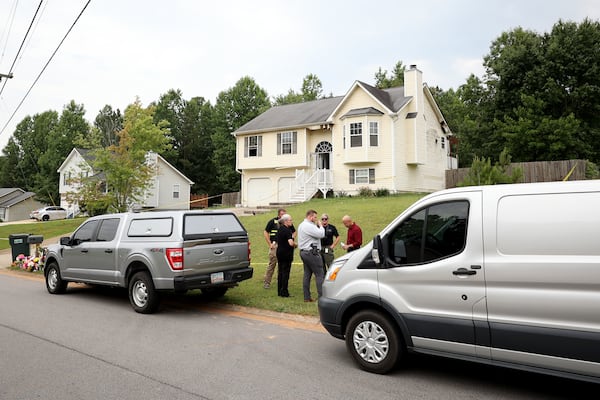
[433, 233]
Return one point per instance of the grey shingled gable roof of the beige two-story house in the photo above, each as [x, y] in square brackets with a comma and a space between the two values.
[321, 111]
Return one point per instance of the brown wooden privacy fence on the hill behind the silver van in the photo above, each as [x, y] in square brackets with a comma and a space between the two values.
[536, 171]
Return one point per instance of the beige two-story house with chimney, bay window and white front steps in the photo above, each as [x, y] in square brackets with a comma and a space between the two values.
[394, 139]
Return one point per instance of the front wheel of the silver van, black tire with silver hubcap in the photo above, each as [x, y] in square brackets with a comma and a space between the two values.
[373, 341]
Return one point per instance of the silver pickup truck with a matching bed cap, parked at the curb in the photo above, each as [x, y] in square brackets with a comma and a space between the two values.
[149, 252]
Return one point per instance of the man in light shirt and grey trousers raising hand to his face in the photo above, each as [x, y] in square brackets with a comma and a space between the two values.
[310, 233]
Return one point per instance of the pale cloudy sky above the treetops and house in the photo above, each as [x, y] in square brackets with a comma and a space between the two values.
[120, 50]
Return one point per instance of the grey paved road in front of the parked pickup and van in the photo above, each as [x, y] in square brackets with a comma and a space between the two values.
[89, 344]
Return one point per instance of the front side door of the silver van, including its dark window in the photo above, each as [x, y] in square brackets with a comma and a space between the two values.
[433, 274]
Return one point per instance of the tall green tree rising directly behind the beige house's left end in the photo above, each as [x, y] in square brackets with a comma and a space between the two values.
[233, 108]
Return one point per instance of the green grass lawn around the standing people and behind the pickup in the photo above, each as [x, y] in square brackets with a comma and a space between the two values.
[371, 214]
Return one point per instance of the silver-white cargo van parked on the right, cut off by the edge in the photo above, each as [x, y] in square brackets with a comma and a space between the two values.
[507, 275]
